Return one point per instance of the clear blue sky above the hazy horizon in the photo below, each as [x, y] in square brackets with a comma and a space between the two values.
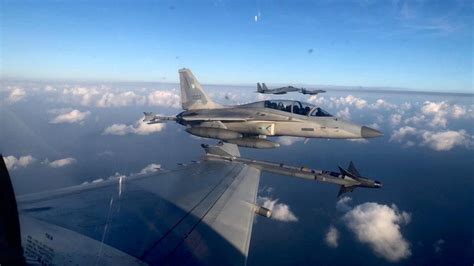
[415, 45]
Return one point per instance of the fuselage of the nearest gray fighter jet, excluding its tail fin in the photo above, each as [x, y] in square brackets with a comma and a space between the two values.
[256, 119]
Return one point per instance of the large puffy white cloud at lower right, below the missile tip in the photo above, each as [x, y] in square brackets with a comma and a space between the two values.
[379, 226]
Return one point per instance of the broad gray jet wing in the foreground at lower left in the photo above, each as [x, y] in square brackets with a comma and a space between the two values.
[197, 215]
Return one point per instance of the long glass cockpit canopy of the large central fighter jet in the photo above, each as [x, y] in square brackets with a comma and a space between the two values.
[289, 106]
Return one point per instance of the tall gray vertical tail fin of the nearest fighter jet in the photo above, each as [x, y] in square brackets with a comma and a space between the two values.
[192, 94]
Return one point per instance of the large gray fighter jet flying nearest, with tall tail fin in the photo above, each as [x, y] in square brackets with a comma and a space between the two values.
[249, 125]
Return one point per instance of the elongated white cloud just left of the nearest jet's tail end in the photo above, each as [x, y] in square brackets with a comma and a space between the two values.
[139, 127]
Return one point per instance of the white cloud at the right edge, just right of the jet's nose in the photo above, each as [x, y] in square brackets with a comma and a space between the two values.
[446, 140]
